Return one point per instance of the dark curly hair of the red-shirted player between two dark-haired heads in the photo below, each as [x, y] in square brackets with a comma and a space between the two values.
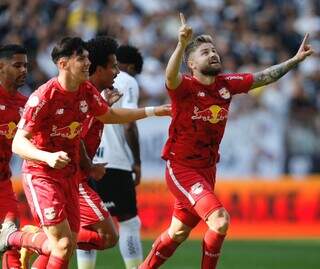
[100, 48]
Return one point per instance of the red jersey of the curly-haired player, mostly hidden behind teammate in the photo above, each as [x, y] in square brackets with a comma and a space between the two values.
[91, 136]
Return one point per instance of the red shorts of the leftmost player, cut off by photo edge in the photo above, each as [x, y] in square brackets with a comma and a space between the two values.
[8, 202]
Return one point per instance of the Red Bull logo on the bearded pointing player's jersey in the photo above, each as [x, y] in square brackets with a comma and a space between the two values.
[213, 114]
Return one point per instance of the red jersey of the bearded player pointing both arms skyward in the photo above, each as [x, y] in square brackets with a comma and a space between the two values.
[199, 116]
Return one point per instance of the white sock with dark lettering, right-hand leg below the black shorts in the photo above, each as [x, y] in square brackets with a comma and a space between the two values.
[130, 242]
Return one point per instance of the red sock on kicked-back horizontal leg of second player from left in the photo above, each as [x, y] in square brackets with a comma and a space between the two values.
[35, 241]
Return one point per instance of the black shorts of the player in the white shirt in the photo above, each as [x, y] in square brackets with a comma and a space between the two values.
[117, 191]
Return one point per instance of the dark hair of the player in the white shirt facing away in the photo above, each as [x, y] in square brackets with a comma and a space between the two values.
[127, 54]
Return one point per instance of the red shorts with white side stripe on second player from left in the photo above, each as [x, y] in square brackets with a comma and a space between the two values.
[53, 200]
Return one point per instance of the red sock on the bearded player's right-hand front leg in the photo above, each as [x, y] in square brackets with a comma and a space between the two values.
[211, 246]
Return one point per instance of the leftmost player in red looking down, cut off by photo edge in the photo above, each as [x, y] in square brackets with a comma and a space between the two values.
[13, 72]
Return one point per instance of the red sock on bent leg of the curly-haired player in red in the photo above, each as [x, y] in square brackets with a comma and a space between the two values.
[88, 240]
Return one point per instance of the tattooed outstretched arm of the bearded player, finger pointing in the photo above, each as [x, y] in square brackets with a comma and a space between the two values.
[275, 72]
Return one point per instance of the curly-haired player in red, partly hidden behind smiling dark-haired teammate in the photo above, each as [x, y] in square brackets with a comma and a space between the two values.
[97, 227]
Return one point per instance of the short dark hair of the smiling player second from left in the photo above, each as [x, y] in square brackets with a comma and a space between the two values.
[67, 47]
